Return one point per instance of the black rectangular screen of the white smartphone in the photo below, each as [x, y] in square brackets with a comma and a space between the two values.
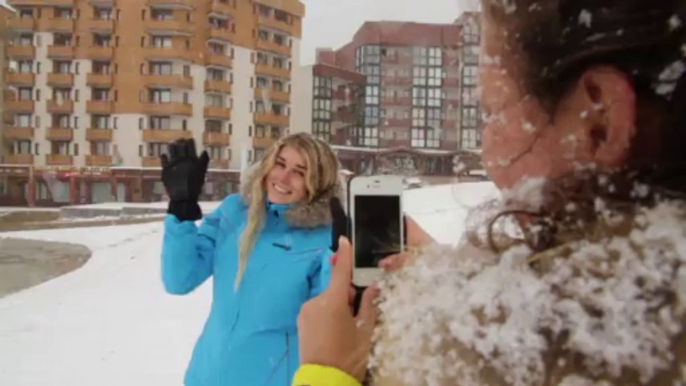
[377, 229]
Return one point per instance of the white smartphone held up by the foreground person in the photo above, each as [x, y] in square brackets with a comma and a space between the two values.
[376, 208]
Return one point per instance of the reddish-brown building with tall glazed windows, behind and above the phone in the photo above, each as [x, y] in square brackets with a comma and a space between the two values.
[405, 114]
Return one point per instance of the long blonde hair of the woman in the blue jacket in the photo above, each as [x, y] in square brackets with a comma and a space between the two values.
[321, 177]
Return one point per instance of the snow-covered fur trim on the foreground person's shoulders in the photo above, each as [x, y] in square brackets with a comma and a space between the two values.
[465, 316]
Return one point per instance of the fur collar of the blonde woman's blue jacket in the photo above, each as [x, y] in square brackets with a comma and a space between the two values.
[304, 215]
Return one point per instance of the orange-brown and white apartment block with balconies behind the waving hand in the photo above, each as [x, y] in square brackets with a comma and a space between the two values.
[99, 88]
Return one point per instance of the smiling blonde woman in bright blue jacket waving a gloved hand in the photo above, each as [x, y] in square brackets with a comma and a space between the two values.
[266, 248]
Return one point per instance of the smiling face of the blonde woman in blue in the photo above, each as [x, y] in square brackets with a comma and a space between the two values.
[286, 181]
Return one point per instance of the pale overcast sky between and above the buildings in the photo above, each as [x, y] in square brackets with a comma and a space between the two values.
[332, 23]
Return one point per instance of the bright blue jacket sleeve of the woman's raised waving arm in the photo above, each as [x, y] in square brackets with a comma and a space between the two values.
[188, 252]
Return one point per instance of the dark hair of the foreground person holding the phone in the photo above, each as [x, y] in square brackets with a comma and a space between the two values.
[560, 39]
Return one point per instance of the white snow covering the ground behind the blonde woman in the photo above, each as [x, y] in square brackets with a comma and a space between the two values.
[111, 323]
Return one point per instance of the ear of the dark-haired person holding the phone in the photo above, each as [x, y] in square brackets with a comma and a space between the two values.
[608, 115]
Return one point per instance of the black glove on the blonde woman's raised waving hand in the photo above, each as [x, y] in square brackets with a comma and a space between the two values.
[183, 175]
